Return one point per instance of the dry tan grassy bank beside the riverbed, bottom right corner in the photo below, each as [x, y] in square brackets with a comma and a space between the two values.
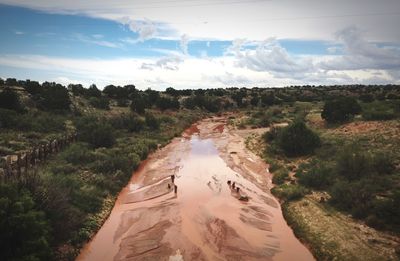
[331, 235]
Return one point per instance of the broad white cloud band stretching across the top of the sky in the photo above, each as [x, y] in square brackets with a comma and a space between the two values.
[256, 20]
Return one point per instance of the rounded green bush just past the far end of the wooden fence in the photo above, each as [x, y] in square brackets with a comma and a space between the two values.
[96, 132]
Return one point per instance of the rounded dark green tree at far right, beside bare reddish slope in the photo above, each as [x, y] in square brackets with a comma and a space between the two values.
[340, 110]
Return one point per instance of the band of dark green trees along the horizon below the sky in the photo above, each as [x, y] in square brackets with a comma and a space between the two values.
[54, 96]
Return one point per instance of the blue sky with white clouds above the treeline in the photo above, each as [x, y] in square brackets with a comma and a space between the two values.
[201, 43]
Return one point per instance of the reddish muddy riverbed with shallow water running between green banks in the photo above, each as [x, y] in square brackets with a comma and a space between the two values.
[205, 220]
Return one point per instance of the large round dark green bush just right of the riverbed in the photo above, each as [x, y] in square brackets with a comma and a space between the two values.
[297, 139]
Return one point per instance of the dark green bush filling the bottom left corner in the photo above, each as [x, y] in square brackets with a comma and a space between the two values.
[24, 230]
